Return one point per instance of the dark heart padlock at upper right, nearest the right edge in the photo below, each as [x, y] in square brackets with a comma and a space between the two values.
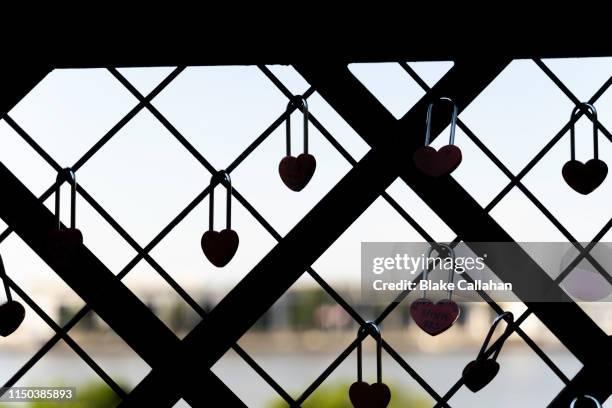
[584, 177]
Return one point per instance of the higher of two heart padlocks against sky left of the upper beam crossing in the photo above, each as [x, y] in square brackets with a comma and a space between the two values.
[296, 172]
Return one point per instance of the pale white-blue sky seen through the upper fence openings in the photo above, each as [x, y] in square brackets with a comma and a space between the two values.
[144, 177]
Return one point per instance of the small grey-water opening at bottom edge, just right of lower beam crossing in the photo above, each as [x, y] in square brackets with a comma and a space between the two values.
[248, 386]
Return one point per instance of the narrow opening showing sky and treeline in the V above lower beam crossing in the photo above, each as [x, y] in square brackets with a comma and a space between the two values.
[162, 299]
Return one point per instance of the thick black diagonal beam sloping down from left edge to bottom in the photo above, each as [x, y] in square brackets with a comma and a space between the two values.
[95, 284]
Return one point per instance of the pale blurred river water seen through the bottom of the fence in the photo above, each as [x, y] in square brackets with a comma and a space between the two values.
[524, 380]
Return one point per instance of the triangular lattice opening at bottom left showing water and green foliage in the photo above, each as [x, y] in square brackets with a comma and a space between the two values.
[62, 367]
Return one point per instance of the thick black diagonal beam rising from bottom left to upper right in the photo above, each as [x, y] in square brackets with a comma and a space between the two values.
[303, 244]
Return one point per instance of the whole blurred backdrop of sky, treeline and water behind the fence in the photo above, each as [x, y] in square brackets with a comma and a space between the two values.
[143, 178]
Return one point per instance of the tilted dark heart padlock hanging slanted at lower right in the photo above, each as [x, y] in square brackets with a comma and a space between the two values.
[481, 371]
